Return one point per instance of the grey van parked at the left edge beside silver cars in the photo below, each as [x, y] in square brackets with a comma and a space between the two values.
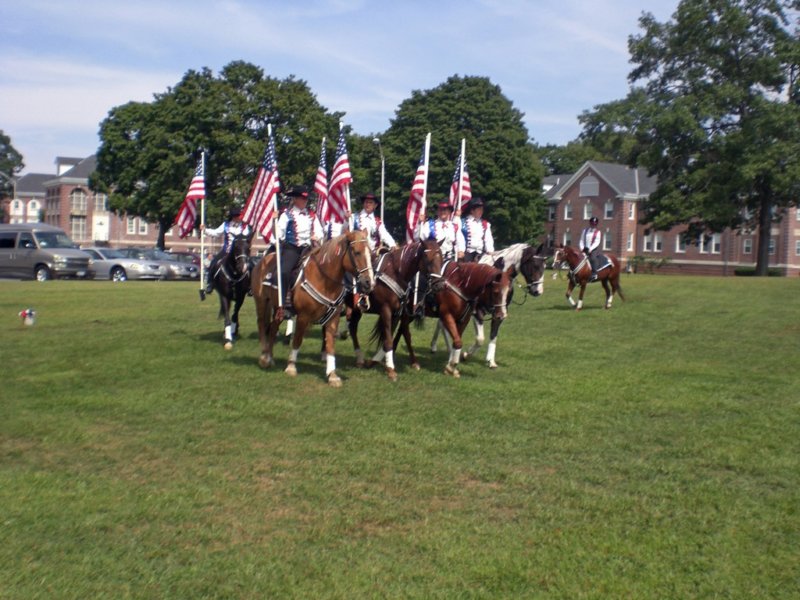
[40, 251]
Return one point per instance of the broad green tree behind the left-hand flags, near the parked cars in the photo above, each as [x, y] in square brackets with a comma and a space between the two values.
[148, 151]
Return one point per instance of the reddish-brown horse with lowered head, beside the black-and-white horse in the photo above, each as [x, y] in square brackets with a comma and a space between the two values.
[466, 287]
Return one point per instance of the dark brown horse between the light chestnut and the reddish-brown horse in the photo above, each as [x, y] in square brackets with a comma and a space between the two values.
[394, 273]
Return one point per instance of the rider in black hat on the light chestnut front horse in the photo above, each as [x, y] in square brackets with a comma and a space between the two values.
[298, 230]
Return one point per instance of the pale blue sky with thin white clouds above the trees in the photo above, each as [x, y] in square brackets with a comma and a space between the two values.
[64, 64]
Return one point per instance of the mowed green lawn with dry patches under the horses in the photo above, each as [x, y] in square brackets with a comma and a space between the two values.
[649, 451]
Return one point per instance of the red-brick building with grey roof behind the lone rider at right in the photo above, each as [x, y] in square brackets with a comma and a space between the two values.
[615, 194]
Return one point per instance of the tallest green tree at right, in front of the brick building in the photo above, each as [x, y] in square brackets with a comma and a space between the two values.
[716, 118]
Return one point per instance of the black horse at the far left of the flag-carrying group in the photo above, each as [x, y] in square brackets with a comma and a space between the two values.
[231, 280]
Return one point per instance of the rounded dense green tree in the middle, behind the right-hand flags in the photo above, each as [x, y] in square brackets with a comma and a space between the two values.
[502, 164]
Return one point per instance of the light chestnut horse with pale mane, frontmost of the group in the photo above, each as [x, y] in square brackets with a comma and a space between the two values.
[318, 293]
